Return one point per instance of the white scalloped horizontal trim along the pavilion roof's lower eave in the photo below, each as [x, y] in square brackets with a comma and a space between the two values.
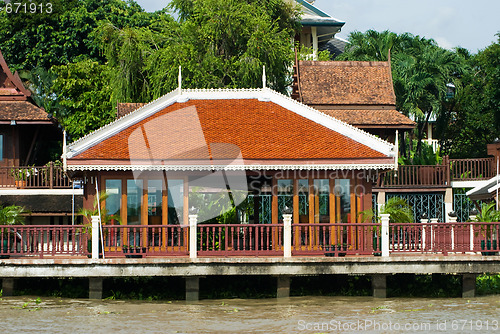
[226, 167]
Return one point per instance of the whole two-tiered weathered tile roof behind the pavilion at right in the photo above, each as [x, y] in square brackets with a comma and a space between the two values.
[360, 93]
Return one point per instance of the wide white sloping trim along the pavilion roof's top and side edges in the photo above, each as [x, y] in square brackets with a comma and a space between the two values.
[161, 103]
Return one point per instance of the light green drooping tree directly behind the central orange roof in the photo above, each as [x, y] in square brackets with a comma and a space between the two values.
[218, 44]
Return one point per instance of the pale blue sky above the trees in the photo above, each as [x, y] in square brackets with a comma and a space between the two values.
[451, 23]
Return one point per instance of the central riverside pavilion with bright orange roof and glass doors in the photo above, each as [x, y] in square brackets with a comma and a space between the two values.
[256, 150]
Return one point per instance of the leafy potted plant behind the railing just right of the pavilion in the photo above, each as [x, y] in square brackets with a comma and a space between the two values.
[400, 212]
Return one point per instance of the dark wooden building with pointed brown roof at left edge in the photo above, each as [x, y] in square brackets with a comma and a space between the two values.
[28, 135]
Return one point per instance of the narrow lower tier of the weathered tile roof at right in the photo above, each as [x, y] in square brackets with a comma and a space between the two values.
[371, 117]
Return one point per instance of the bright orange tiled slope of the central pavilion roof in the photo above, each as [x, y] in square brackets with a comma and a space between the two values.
[261, 130]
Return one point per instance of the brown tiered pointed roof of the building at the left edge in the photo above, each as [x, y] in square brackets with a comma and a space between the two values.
[15, 101]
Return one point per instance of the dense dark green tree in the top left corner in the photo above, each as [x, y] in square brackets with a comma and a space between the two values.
[63, 35]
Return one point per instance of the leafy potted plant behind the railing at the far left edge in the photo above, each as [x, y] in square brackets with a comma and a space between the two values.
[9, 215]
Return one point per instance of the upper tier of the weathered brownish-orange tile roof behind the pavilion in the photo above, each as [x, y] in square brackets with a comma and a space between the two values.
[346, 83]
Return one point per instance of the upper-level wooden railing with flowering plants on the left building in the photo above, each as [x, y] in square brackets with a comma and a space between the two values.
[49, 176]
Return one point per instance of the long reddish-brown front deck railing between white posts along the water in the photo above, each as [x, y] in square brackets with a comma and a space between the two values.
[219, 240]
